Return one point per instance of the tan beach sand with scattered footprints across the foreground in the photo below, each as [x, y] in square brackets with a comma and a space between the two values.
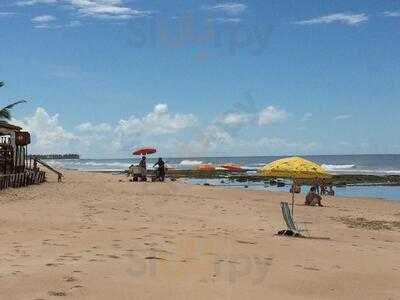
[98, 236]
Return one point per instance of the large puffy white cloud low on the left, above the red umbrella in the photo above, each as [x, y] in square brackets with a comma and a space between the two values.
[49, 136]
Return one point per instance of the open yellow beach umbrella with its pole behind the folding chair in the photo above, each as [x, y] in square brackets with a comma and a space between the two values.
[295, 168]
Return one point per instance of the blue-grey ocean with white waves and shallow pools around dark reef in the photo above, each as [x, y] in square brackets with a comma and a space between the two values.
[375, 164]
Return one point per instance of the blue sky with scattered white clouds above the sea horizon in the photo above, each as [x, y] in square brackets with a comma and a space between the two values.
[203, 78]
